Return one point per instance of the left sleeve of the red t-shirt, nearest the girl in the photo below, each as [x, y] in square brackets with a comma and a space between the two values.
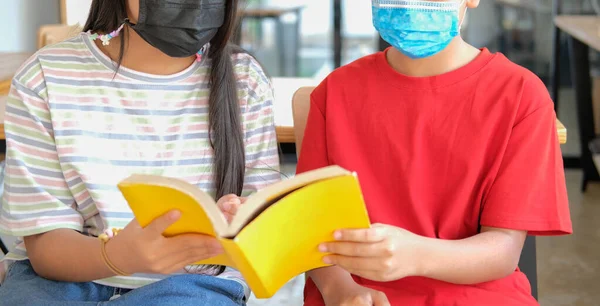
[313, 154]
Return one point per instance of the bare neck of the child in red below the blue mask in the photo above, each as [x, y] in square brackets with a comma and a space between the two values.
[456, 55]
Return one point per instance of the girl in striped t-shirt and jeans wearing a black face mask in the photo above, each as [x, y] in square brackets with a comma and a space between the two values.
[151, 87]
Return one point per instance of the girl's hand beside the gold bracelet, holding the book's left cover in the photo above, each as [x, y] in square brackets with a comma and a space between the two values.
[146, 250]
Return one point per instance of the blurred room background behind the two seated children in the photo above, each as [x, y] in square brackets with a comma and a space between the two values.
[299, 42]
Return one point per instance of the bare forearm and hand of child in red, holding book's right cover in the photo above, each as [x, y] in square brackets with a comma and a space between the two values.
[388, 253]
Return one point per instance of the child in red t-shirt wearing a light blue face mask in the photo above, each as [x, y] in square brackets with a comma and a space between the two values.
[458, 157]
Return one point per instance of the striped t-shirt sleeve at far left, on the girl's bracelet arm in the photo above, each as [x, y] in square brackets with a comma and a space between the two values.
[36, 197]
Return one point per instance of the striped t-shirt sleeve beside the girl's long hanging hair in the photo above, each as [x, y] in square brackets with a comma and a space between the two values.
[262, 155]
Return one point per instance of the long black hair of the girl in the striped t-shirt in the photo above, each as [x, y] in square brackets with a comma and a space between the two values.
[225, 131]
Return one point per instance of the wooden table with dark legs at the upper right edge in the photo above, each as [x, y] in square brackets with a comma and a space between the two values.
[583, 33]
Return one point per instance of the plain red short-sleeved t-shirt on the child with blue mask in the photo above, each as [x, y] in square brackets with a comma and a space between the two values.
[441, 156]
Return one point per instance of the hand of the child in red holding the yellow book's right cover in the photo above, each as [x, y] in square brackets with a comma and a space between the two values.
[382, 253]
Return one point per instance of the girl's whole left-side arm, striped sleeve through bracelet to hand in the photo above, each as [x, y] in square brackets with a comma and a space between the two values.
[39, 205]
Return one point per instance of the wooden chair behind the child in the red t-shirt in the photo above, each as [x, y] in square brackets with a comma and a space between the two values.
[300, 109]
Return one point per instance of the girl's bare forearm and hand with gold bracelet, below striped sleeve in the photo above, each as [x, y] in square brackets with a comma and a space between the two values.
[66, 255]
